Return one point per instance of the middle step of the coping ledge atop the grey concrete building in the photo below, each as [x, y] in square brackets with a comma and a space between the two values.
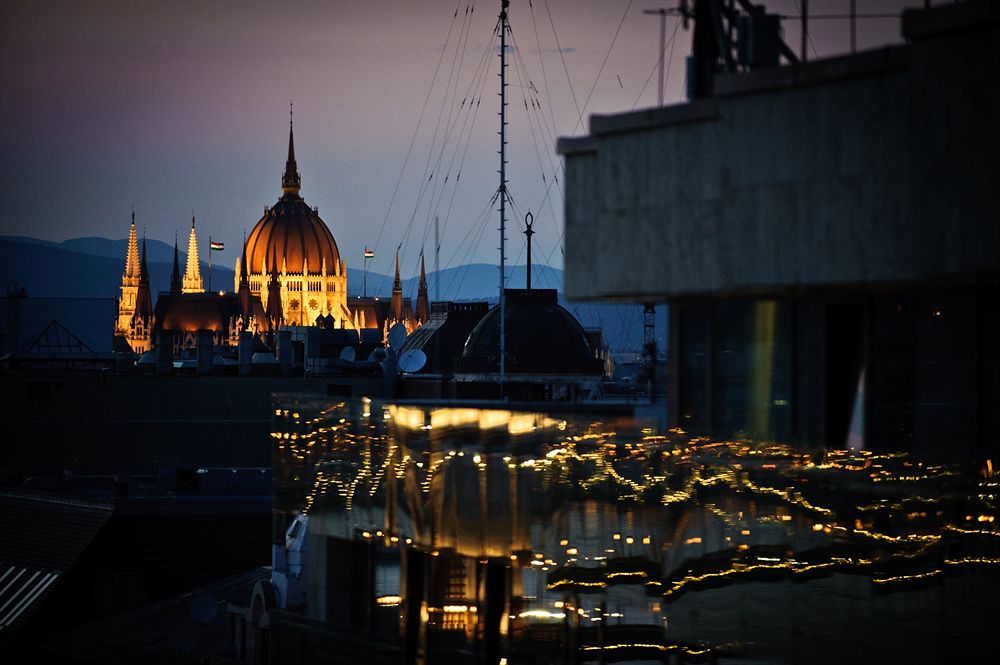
[856, 65]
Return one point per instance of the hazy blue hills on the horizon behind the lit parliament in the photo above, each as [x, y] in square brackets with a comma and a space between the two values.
[92, 267]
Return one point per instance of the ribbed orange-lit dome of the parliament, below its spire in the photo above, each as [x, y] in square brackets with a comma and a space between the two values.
[292, 231]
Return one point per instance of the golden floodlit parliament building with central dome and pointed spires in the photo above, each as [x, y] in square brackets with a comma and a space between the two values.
[290, 273]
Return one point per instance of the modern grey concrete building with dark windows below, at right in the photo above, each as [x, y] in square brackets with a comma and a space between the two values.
[827, 236]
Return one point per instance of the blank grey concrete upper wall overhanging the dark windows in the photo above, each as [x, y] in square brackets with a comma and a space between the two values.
[879, 167]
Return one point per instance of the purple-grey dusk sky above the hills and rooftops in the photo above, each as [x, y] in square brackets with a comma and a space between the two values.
[181, 107]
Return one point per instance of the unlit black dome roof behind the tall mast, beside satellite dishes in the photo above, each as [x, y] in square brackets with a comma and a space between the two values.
[541, 336]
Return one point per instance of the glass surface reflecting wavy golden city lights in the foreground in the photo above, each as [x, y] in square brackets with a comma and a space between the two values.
[481, 534]
